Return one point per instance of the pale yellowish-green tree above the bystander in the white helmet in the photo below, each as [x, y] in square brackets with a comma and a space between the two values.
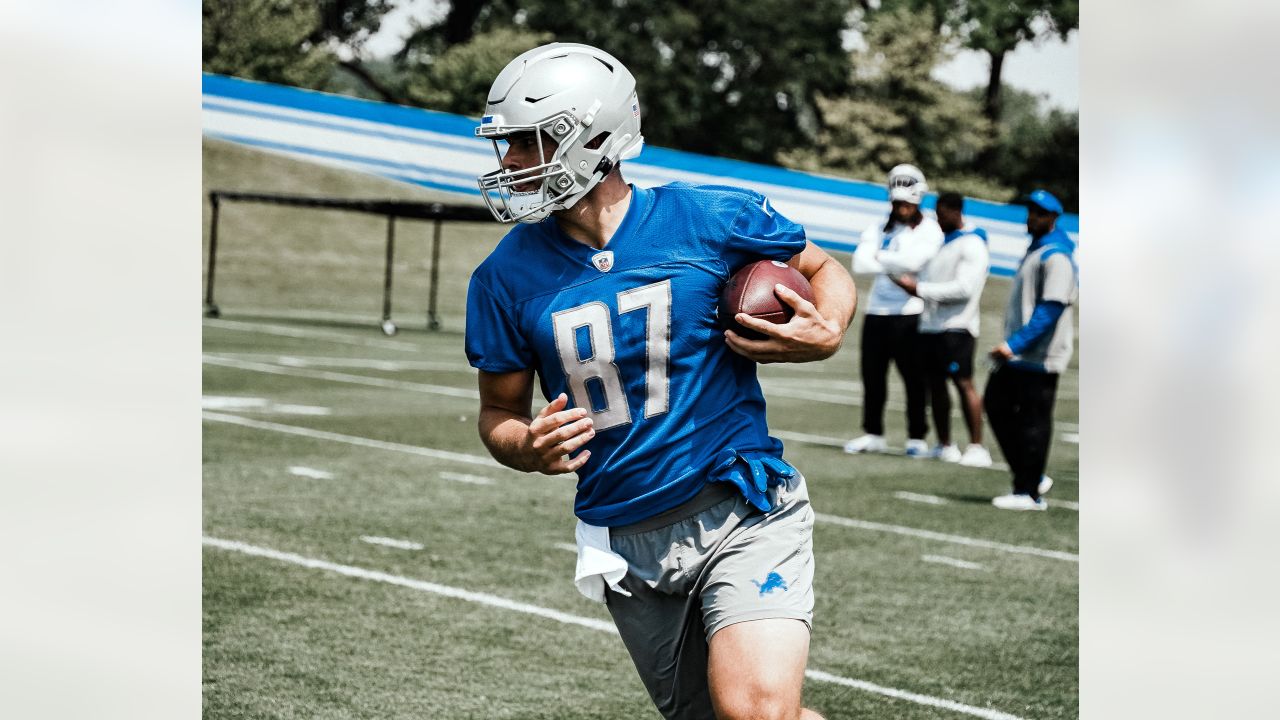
[897, 112]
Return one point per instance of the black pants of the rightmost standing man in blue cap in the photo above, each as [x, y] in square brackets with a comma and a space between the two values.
[1021, 408]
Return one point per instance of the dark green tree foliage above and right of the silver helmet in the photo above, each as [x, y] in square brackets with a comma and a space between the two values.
[739, 84]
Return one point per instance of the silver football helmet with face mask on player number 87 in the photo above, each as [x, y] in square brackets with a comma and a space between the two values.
[572, 94]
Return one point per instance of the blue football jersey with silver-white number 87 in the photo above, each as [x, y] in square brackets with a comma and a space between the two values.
[630, 334]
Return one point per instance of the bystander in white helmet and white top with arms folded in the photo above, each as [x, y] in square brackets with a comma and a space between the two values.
[903, 244]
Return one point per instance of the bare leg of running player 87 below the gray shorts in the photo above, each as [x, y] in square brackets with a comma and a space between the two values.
[756, 671]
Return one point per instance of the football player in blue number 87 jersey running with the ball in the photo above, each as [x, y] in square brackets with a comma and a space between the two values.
[692, 527]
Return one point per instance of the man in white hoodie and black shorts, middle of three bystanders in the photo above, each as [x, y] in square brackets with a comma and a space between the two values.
[950, 285]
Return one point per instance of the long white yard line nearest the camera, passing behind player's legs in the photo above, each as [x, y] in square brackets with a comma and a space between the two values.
[505, 604]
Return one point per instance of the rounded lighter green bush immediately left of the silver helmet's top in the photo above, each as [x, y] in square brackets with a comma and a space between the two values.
[459, 80]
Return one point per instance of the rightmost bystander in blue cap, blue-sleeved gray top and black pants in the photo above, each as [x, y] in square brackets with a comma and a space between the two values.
[1039, 344]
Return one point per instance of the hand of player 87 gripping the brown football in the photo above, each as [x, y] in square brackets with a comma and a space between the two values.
[806, 338]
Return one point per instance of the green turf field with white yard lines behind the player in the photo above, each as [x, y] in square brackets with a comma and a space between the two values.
[324, 440]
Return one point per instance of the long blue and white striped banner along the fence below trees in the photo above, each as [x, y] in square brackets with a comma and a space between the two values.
[440, 151]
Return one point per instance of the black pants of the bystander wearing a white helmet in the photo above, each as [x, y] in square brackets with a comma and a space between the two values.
[893, 338]
